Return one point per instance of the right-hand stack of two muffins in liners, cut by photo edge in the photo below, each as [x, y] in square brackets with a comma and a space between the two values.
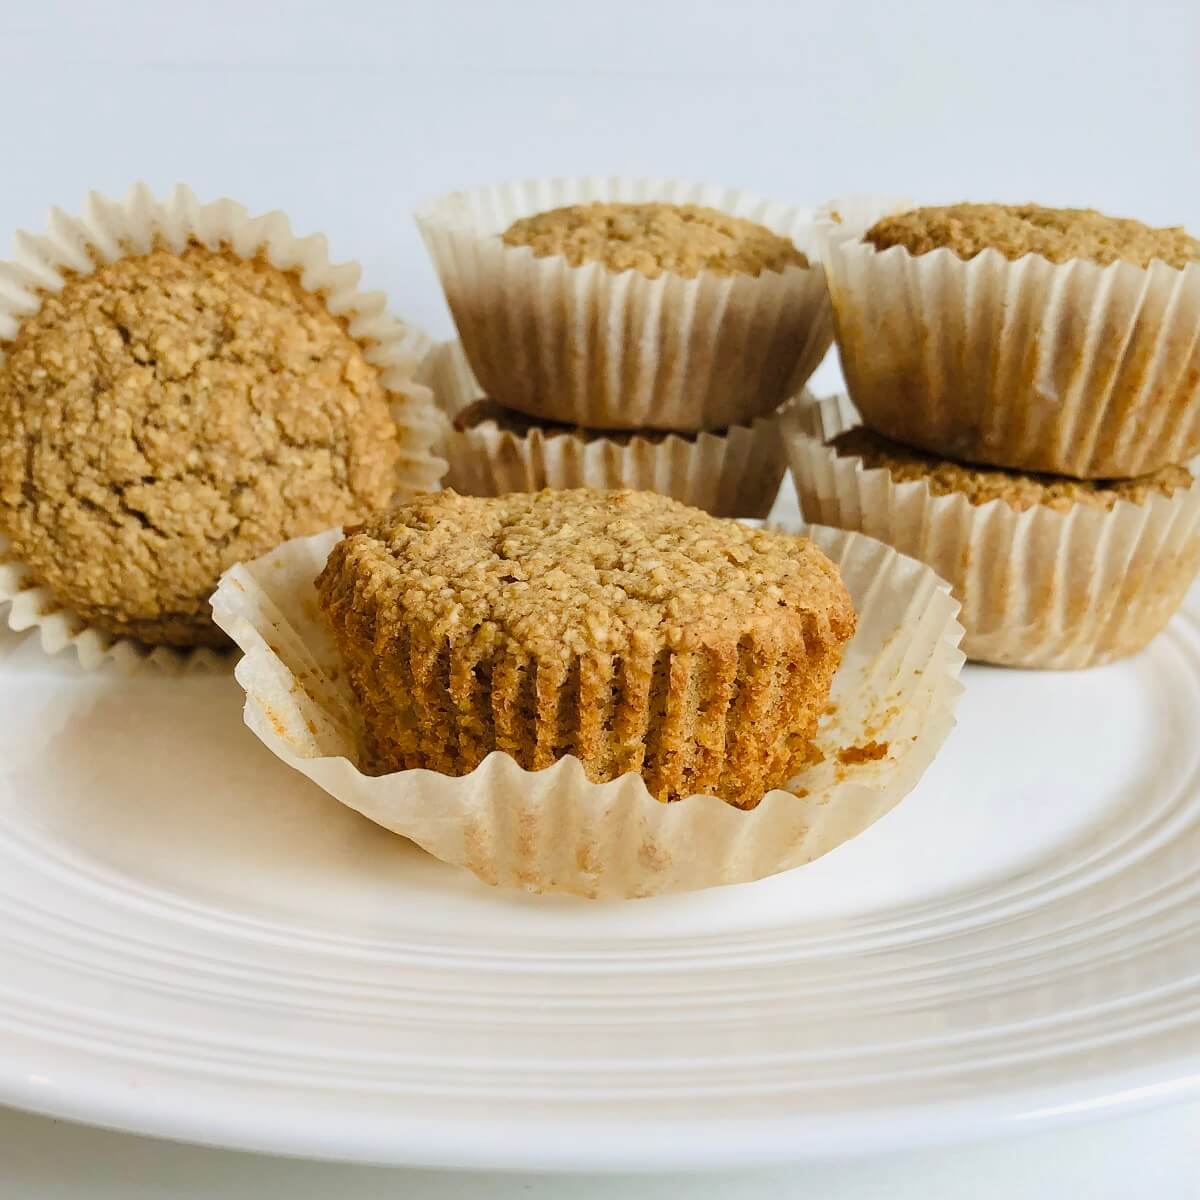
[1029, 382]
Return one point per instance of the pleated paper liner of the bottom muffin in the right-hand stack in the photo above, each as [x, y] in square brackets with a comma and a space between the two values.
[1040, 589]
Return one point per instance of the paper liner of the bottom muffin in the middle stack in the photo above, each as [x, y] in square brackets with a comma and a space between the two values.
[731, 475]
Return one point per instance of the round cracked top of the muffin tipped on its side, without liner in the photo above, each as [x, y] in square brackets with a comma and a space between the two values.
[169, 416]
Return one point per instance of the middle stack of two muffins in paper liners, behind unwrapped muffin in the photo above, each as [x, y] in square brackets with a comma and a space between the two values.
[631, 339]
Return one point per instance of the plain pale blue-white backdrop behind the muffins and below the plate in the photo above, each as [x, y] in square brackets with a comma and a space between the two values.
[349, 115]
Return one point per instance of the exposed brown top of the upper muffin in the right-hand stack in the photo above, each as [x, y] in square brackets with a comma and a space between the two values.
[1018, 230]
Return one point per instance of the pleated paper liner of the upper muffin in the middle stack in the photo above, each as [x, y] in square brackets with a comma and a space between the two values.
[615, 351]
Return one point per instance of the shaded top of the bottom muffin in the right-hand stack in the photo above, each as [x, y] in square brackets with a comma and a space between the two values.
[1016, 489]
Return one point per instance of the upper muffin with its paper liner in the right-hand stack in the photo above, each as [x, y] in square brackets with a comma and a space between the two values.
[1041, 340]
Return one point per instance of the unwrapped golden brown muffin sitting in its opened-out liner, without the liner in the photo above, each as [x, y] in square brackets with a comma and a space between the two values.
[623, 628]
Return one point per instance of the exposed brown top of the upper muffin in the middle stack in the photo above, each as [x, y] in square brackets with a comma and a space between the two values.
[683, 239]
